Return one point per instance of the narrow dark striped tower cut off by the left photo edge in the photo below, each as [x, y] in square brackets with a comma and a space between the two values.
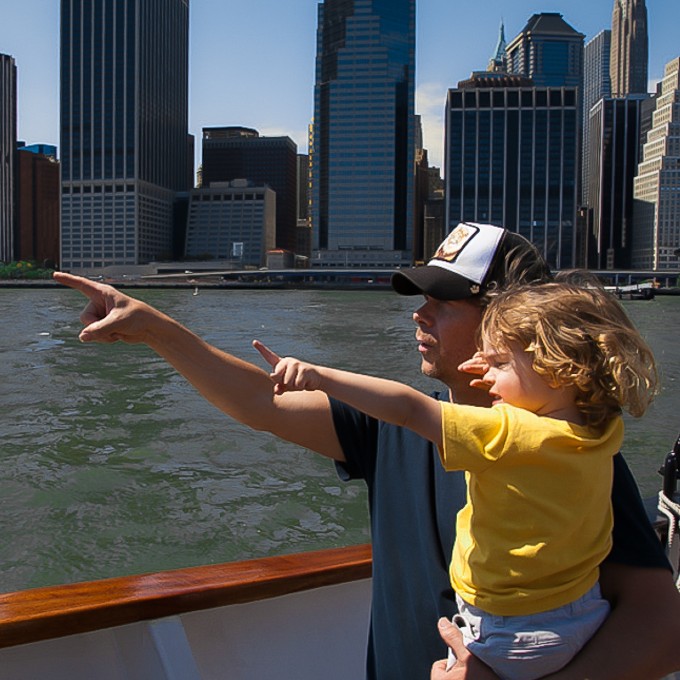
[8, 144]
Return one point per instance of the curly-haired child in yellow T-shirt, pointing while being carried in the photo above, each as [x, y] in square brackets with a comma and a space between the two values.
[561, 361]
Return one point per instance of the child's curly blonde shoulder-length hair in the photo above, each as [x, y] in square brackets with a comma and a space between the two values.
[578, 335]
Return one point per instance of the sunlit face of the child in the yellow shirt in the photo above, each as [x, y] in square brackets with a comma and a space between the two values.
[511, 379]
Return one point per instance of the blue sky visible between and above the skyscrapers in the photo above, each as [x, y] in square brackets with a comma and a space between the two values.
[252, 63]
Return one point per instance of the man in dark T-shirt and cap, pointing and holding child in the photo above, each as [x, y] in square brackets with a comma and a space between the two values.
[412, 500]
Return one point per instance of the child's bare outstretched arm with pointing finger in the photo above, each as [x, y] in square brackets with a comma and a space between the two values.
[385, 400]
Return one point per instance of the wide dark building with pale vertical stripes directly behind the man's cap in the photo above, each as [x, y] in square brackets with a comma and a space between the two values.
[512, 160]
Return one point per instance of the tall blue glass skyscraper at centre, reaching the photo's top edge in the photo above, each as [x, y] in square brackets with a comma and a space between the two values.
[363, 138]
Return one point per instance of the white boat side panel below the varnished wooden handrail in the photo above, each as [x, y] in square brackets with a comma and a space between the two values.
[314, 634]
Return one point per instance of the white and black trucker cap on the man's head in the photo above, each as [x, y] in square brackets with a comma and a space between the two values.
[464, 265]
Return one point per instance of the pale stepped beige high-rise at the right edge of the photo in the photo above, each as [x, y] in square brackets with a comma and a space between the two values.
[656, 209]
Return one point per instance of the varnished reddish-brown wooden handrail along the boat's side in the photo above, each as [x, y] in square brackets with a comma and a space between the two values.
[57, 611]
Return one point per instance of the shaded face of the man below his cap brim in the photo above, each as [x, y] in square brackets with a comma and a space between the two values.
[446, 337]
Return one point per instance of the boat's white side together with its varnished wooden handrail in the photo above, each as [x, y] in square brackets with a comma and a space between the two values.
[296, 617]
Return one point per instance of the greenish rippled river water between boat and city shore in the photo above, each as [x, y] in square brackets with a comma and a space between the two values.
[111, 464]
